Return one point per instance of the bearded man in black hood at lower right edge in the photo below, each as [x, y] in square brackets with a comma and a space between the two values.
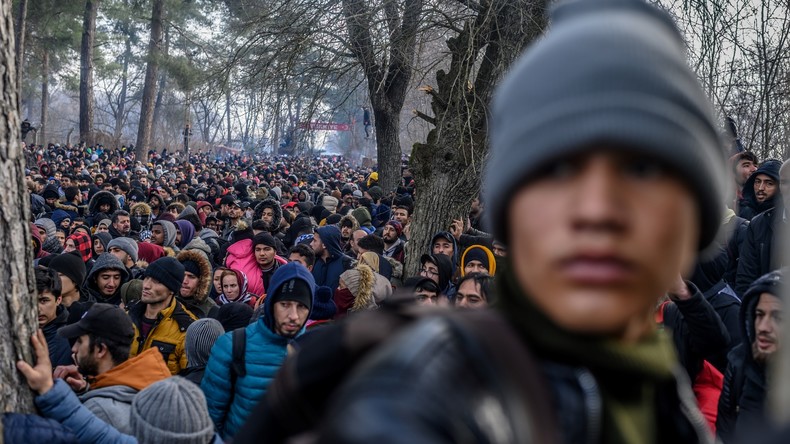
[743, 395]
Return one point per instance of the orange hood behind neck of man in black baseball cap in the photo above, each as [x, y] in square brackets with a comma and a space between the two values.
[138, 372]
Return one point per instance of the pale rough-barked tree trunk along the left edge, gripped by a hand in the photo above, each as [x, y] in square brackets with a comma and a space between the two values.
[18, 306]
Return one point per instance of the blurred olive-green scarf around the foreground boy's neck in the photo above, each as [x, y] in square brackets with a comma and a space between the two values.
[627, 375]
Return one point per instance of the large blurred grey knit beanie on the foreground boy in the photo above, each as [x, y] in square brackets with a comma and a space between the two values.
[609, 73]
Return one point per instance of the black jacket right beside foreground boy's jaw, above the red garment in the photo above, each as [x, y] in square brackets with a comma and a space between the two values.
[697, 331]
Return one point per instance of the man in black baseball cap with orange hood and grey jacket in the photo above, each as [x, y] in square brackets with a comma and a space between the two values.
[104, 377]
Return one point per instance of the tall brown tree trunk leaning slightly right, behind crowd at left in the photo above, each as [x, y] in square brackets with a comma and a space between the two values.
[149, 87]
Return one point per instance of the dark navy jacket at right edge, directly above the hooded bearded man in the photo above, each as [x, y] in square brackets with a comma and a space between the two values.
[756, 255]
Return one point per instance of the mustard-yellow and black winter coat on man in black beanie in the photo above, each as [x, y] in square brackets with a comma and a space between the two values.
[167, 334]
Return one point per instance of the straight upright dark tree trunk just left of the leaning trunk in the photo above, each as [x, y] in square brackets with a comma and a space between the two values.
[86, 71]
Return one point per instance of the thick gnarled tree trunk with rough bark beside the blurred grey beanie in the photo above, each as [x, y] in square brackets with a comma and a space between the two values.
[448, 167]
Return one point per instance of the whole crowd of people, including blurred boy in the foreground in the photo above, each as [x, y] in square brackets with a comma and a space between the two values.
[613, 293]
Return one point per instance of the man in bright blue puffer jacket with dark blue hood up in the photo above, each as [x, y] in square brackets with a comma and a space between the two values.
[285, 311]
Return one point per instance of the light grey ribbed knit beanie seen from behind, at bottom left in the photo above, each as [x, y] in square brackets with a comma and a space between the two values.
[171, 411]
